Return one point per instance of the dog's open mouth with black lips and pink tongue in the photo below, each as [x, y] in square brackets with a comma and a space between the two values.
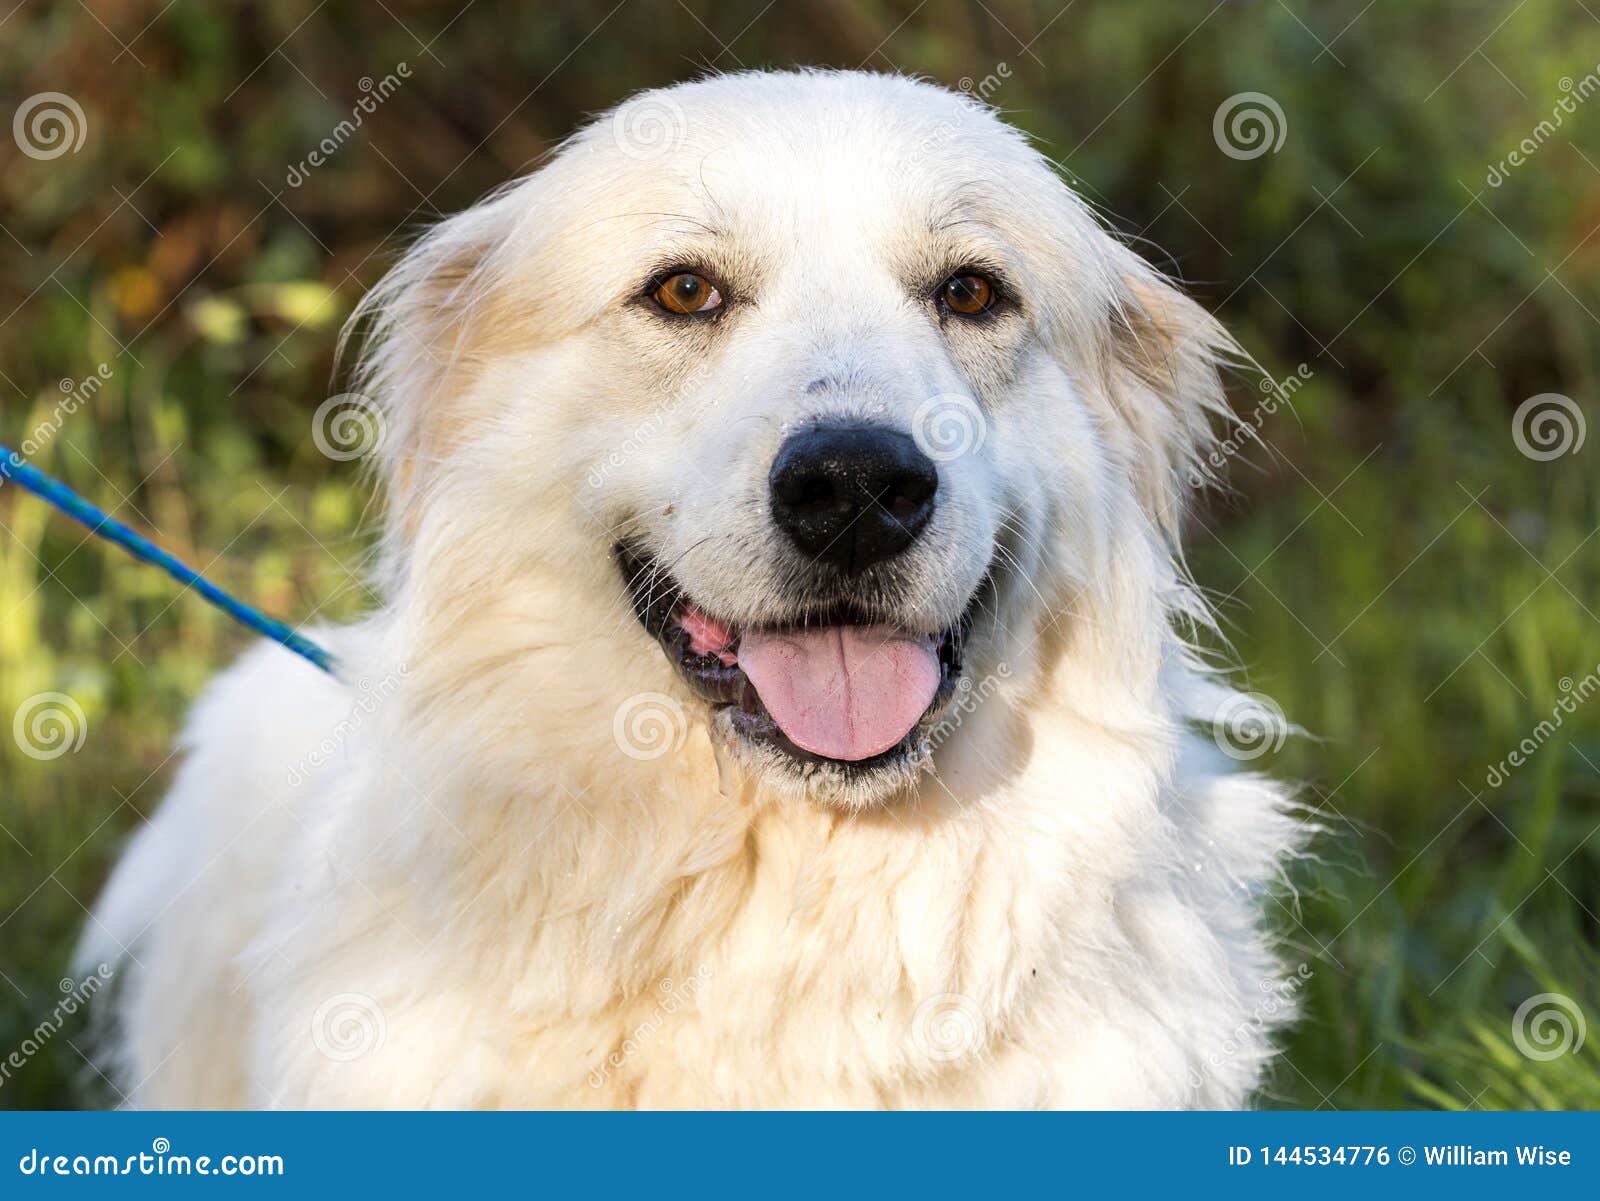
[839, 687]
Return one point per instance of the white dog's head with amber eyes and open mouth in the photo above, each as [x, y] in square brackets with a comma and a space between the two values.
[831, 383]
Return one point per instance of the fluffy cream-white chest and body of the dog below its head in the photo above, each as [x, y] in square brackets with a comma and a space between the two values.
[1087, 936]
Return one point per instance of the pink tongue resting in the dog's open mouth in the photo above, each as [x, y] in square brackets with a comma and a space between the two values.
[844, 692]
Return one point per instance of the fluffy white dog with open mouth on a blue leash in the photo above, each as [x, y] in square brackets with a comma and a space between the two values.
[780, 696]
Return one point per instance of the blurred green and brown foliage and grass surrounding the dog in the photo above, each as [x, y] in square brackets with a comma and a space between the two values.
[1409, 586]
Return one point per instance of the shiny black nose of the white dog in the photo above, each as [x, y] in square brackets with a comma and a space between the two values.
[854, 495]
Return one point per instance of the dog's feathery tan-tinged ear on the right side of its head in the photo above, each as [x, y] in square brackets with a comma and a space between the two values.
[1164, 375]
